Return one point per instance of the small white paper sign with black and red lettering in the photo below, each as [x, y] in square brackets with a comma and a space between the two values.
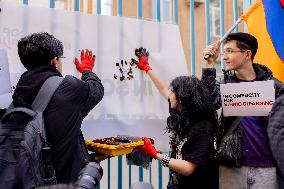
[247, 98]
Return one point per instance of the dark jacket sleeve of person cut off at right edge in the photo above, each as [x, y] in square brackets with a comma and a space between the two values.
[275, 131]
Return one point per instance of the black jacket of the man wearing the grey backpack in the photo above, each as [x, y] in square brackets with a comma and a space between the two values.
[63, 116]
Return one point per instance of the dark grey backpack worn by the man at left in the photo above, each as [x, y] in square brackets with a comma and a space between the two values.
[25, 154]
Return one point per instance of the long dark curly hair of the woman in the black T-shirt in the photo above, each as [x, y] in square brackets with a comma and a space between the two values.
[196, 105]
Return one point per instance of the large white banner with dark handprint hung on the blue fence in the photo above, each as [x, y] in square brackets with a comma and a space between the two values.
[131, 105]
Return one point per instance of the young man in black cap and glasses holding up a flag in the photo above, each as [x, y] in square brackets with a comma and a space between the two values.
[248, 163]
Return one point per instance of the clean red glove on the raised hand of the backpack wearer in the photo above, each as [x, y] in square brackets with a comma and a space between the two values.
[87, 61]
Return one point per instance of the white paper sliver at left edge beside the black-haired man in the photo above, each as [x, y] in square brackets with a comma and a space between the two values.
[5, 83]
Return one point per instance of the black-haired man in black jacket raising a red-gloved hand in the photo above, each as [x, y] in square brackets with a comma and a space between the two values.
[41, 55]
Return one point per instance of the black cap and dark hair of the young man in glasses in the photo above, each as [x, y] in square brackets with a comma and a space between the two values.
[244, 41]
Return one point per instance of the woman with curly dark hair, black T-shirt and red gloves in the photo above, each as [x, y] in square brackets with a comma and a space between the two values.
[191, 125]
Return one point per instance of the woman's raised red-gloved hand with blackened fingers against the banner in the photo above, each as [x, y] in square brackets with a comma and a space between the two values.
[142, 63]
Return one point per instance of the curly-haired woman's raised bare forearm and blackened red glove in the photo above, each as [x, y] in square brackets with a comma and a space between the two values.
[143, 64]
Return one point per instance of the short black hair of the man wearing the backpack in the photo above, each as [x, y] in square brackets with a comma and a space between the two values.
[39, 49]
